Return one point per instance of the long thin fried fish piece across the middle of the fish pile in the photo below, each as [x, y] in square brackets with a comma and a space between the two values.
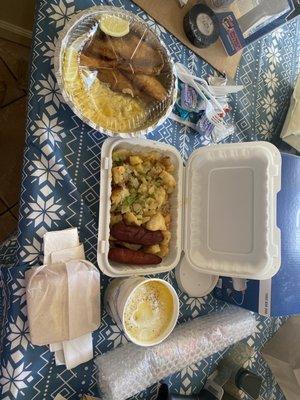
[92, 61]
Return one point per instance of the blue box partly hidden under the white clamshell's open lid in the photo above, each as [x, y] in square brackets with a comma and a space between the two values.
[279, 296]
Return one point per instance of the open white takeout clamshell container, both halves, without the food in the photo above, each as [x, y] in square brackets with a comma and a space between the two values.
[223, 209]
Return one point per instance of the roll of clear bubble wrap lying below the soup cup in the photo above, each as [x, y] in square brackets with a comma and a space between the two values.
[129, 369]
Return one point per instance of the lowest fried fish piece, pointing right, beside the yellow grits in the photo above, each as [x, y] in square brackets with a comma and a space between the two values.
[149, 84]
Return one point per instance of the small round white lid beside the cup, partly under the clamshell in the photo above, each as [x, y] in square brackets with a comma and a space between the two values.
[193, 282]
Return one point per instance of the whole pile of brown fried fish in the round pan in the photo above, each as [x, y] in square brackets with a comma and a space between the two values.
[127, 65]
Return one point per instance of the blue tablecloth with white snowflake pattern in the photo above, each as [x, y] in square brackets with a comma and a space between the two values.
[60, 188]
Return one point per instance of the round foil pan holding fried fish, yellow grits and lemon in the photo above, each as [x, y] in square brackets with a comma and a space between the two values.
[117, 82]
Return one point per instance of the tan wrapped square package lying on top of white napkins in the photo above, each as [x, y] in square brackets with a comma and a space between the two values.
[63, 301]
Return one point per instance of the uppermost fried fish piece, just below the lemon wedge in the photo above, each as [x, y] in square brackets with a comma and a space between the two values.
[130, 48]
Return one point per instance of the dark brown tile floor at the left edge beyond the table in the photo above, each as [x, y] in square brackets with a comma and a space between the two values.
[14, 60]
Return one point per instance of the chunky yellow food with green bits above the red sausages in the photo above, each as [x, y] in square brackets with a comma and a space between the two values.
[141, 186]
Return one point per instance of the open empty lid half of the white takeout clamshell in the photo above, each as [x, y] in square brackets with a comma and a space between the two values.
[230, 210]
